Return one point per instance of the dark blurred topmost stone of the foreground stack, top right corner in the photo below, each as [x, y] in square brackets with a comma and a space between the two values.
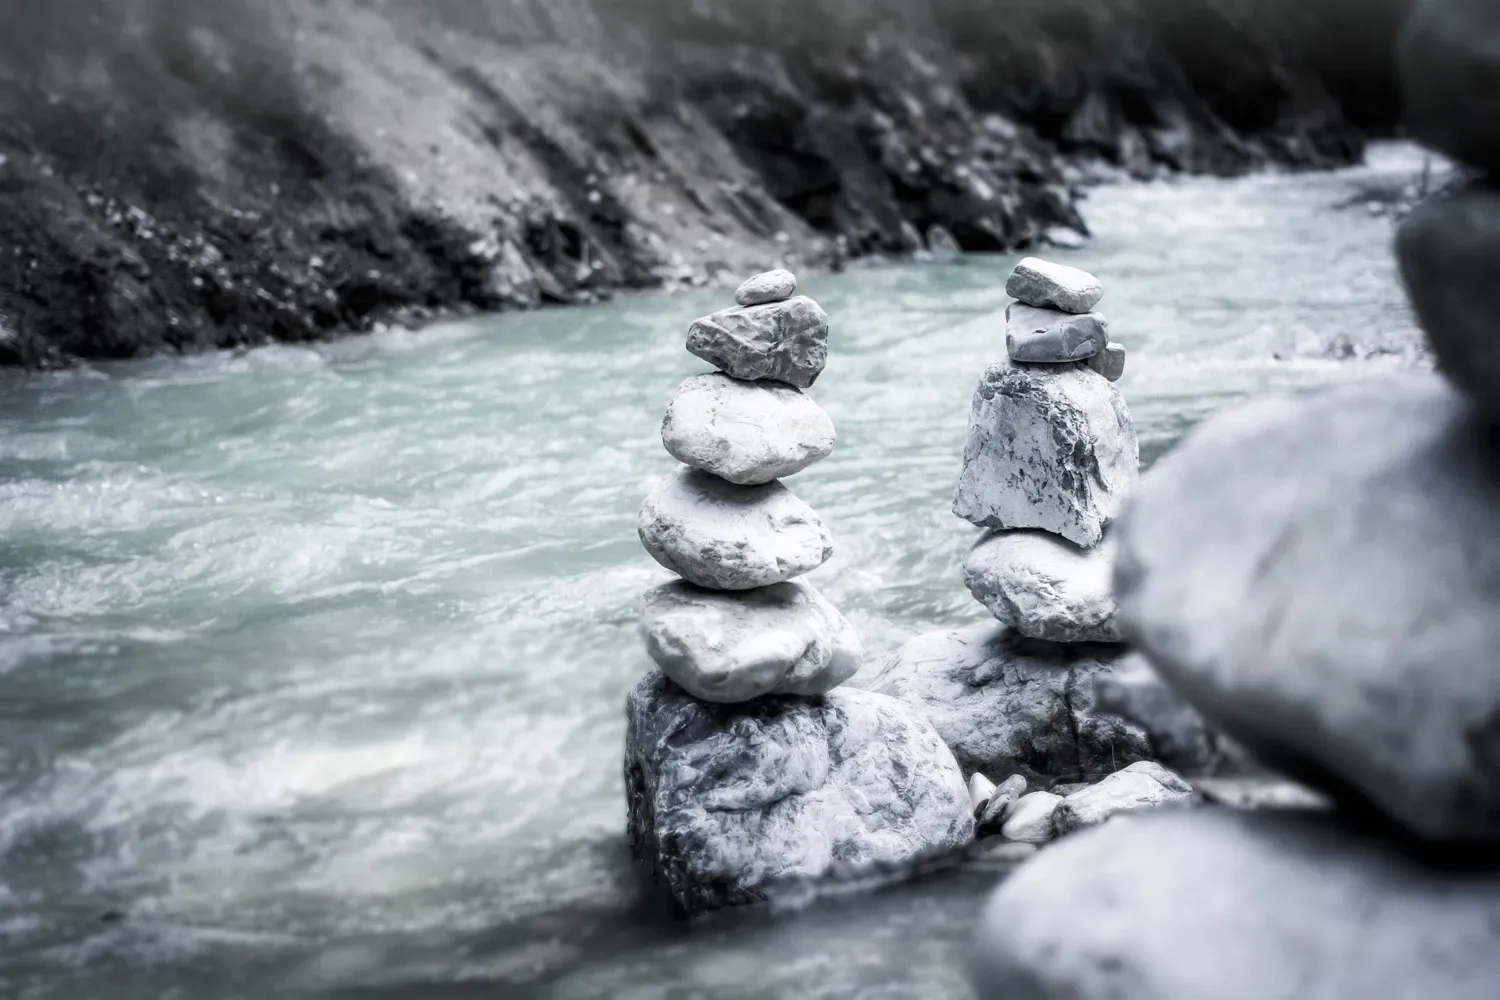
[1450, 61]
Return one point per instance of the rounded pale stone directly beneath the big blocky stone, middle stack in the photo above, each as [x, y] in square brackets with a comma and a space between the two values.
[1045, 587]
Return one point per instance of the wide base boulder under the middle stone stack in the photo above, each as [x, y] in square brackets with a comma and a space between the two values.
[1013, 705]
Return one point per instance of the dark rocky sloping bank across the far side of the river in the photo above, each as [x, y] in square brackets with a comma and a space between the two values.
[181, 175]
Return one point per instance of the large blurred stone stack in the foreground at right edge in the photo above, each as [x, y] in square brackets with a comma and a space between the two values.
[1321, 579]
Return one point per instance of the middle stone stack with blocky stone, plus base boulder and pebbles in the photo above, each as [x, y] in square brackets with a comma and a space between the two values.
[1051, 460]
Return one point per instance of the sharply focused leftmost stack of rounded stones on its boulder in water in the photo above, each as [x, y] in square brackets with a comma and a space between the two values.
[746, 770]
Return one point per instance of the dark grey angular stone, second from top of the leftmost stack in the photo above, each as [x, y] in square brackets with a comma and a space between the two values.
[784, 341]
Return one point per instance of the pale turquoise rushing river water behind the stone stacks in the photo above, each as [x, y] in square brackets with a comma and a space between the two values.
[313, 660]
